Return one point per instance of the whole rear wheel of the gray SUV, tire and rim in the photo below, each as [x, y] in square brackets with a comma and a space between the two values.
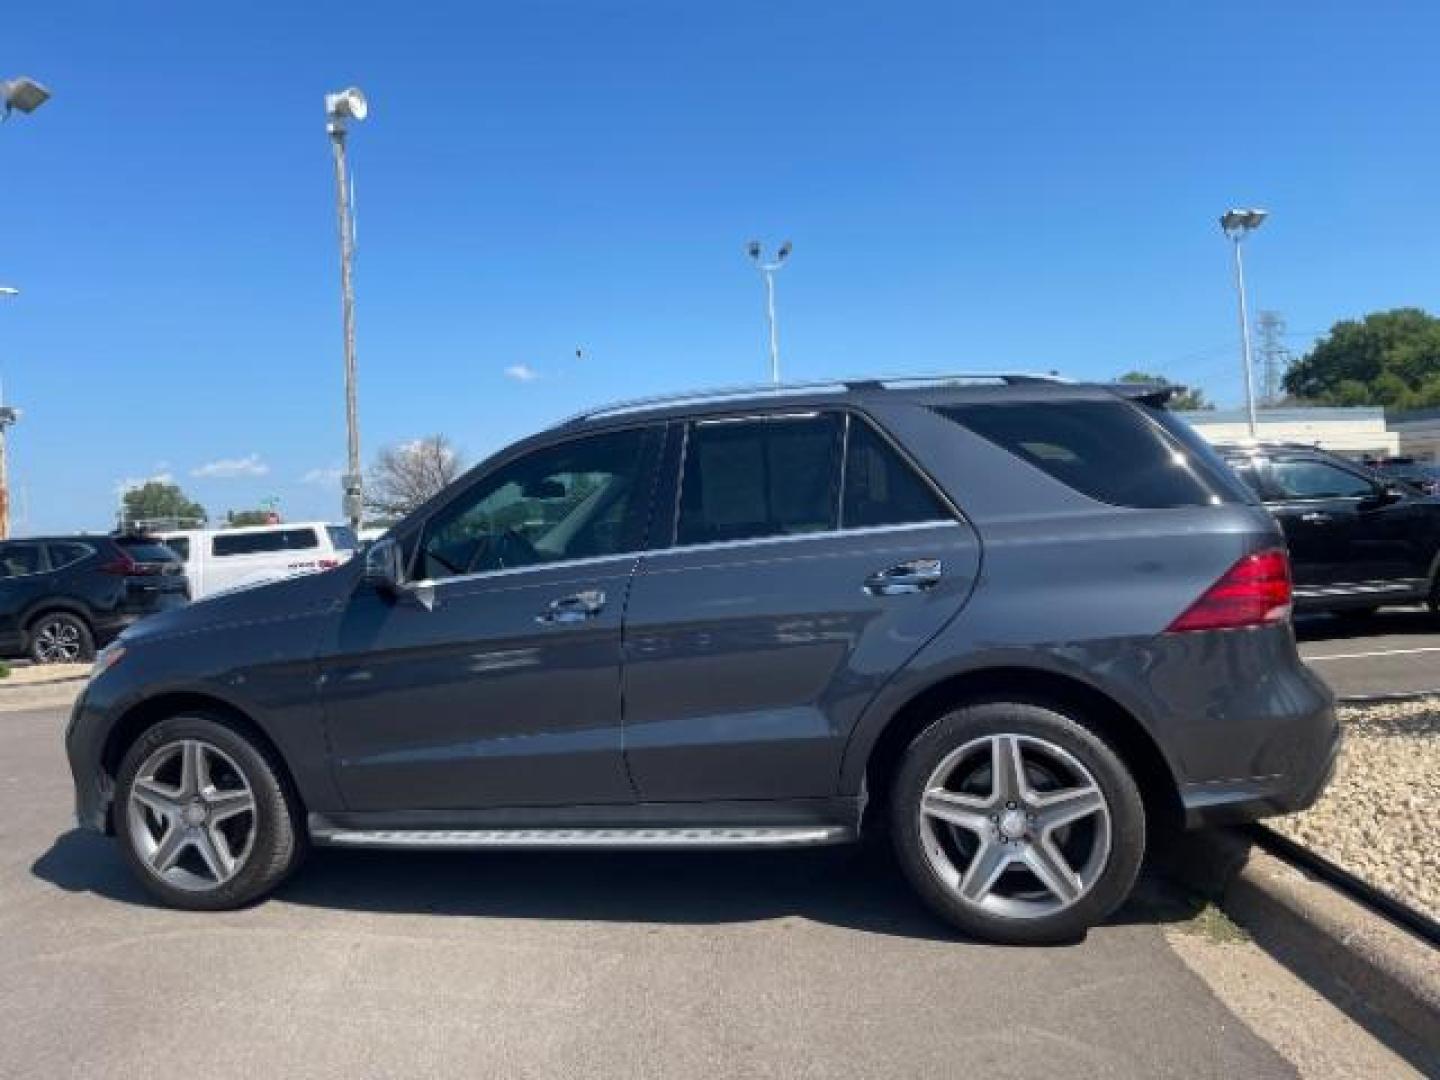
[1017, 824]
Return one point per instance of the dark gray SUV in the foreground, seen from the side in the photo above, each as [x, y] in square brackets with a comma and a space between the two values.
[1020, 624]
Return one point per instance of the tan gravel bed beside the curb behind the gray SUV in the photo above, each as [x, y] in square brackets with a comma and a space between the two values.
[1380, 819]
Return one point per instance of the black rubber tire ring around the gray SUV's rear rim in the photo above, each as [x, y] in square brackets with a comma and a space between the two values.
[1115, 866]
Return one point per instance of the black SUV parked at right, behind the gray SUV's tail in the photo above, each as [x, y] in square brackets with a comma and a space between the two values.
[1359, 539]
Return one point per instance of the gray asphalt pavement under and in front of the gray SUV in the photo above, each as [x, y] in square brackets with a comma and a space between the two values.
[800, 966]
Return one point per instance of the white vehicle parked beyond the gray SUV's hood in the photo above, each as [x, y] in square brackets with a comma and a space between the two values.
[251, 555]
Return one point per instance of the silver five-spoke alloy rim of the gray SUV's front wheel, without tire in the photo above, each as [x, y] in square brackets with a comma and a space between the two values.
[192, 816]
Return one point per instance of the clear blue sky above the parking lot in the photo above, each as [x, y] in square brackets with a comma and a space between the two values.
[968, 186]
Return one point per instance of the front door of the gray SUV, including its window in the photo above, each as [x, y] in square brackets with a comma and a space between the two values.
[498, 683]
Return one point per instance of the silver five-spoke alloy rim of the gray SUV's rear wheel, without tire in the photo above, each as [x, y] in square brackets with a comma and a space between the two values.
[1016, 826]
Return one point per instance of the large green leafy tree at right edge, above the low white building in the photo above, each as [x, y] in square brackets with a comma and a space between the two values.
[1389, 358]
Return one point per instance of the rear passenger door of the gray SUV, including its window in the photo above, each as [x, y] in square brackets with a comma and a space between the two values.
[807, 562]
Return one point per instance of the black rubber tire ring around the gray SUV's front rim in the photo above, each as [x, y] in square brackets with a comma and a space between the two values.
[280, 840]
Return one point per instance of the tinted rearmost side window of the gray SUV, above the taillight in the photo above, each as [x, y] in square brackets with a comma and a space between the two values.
[1110, 451]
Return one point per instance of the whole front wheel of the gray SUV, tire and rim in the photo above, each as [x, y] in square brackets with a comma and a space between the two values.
[204, 816]
